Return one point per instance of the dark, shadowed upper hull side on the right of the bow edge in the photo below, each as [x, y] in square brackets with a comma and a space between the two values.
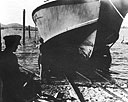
[109, 24]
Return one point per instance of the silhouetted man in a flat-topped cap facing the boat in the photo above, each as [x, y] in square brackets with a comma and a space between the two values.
[9, 70]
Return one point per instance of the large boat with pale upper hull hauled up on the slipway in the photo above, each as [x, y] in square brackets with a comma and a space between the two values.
[78, 34]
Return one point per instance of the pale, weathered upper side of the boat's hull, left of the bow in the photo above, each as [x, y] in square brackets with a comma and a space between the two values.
[63, 16]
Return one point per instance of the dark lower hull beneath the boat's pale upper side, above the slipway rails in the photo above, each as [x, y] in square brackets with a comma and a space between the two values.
[61, 54]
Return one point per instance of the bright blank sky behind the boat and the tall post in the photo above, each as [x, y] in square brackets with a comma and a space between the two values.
[11, 11]
